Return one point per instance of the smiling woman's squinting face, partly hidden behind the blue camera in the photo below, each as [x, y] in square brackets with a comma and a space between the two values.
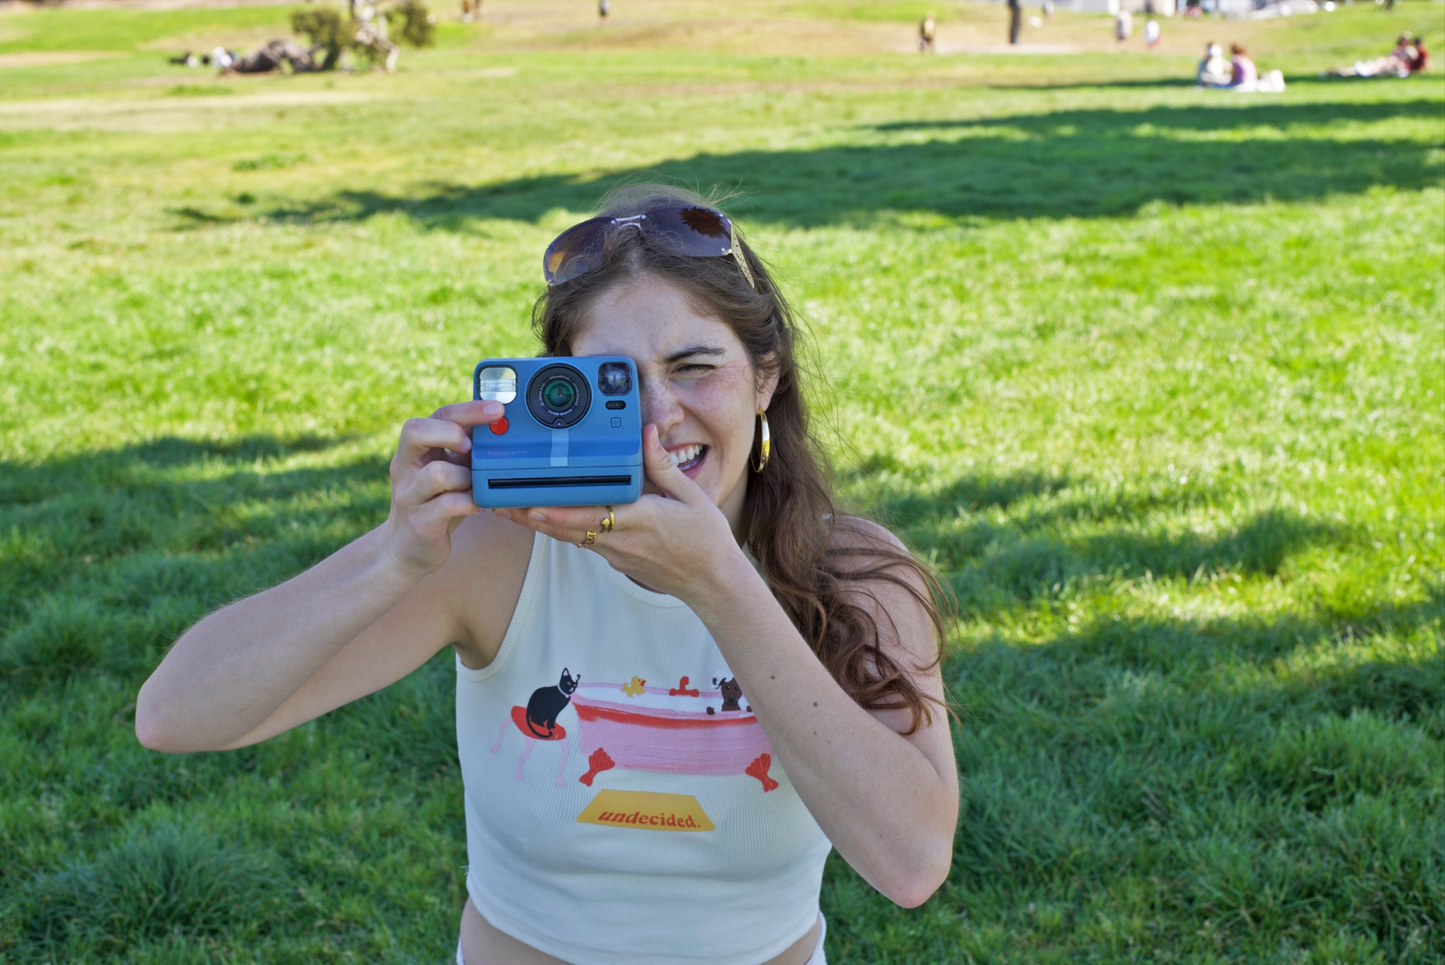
[697, 382]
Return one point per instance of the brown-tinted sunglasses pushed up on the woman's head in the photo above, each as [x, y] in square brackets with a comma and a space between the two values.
[684, 229]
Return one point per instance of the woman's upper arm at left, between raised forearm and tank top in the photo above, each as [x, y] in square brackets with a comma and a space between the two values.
[466, 605]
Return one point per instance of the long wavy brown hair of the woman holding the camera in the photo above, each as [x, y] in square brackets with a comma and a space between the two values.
[816, 560]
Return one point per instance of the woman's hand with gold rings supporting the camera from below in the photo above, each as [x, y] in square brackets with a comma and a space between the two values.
[678, 542]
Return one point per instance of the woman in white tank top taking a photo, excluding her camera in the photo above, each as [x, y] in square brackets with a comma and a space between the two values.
[667, 711]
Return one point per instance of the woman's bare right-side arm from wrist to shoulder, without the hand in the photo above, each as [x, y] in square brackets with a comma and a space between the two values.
[888, 801]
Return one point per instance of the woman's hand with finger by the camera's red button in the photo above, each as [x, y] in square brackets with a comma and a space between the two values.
[431, 485]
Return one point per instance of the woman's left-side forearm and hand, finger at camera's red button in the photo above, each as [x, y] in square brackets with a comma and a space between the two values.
[352, 625]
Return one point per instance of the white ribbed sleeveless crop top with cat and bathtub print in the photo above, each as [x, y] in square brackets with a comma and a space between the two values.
[624, 805]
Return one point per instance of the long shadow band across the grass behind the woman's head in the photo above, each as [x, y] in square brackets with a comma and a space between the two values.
[1069, 164]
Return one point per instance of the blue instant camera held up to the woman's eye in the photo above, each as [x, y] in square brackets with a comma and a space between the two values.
[571, 436]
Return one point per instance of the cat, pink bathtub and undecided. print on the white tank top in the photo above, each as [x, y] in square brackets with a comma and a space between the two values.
[677, 730]
